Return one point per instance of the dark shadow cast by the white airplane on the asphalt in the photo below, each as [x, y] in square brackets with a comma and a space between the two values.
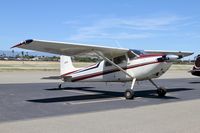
[102, 94]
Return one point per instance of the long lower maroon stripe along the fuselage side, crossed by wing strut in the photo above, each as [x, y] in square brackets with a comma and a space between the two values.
[109, 71]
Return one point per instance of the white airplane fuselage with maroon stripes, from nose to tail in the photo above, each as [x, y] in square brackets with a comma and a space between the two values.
[142, 68]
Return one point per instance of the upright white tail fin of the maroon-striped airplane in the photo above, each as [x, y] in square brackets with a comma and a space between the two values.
[66, 65]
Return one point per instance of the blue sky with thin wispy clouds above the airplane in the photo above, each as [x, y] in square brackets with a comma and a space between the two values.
[136, 24]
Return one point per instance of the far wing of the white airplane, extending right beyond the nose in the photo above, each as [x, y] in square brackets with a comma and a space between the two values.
[178, 53]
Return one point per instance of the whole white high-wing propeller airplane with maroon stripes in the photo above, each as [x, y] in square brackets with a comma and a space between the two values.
[118, 64]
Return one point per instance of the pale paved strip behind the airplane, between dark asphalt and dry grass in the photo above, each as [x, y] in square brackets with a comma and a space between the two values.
[16, 77]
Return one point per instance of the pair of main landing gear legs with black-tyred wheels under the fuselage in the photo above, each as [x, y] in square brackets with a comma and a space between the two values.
[129, 93]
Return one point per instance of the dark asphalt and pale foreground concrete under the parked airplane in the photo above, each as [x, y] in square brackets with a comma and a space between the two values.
[99, 107]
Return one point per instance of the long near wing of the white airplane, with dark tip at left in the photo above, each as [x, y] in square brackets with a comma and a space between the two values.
[69, 49]
